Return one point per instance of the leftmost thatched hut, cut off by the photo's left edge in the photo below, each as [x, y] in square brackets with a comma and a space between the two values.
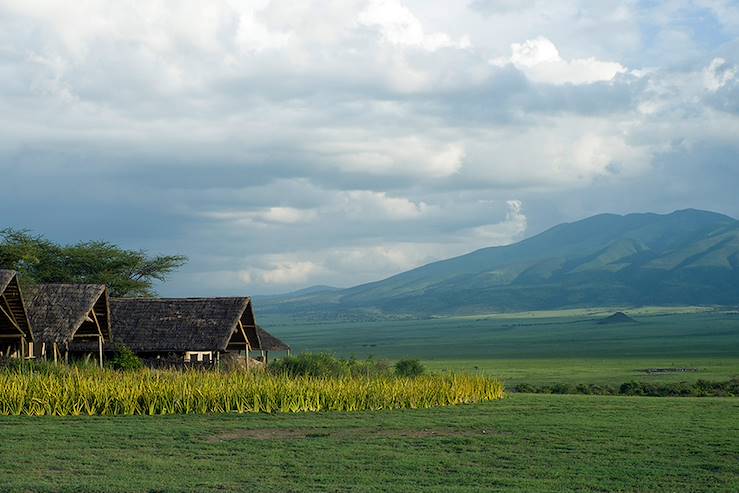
[16, 336]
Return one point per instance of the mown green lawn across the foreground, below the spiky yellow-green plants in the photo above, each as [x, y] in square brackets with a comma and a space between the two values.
[522, 443]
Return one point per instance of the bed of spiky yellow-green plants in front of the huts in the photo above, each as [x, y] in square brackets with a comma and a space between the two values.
[106, 392]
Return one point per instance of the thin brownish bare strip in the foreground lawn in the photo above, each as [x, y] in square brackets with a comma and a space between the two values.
[308, 433]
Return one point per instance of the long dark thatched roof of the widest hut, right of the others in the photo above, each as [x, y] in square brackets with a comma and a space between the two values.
[180, 324]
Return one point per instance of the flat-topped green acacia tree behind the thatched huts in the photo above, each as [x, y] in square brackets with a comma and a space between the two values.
[125, 272]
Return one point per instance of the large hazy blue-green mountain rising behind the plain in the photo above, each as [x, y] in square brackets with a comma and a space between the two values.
[688, 257]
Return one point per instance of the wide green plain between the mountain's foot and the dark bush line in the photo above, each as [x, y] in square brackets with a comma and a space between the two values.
[568, 346]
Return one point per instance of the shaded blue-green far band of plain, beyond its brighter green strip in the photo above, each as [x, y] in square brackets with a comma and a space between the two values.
[578, 335]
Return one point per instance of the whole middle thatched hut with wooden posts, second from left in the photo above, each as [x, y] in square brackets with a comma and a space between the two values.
[70, 319]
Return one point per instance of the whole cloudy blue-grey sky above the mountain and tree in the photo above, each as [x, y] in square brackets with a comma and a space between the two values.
[285, 143]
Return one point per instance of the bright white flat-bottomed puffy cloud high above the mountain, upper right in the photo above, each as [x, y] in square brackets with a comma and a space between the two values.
[540, 60]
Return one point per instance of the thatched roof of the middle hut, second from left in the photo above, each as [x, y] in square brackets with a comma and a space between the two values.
[57, 311]
